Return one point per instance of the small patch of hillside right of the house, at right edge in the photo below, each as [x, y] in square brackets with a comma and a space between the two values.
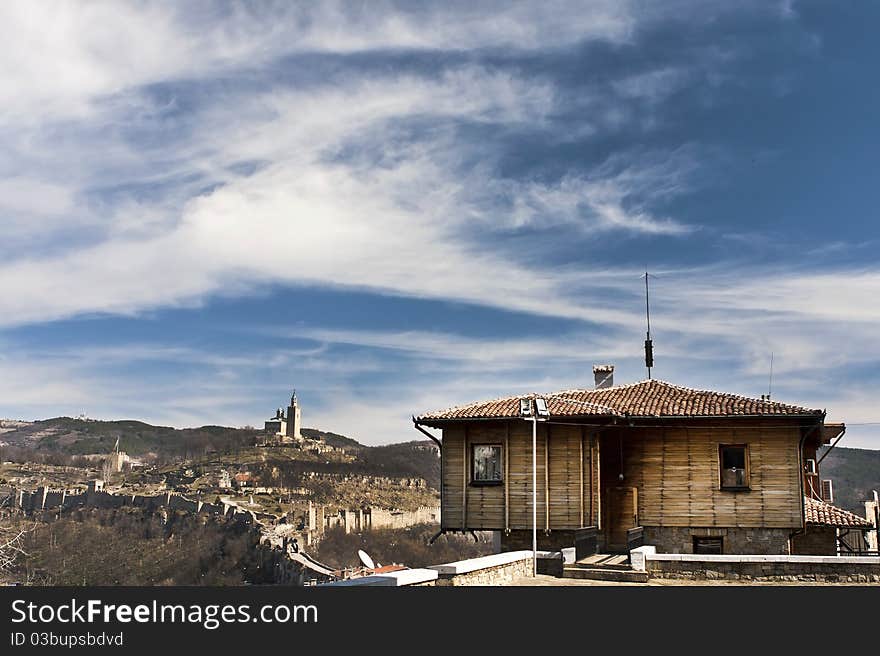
[855, 472]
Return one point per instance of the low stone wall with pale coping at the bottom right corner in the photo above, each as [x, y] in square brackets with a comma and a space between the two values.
[827, 569]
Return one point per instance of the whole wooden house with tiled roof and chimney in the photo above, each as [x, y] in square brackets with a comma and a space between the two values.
[685, 470]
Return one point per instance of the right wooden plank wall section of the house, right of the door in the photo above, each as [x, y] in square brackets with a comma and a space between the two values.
[677, 474]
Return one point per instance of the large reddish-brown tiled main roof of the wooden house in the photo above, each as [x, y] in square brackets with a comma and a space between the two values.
[647, 398]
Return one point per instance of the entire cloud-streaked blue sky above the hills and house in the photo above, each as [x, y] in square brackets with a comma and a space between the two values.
[396, 207]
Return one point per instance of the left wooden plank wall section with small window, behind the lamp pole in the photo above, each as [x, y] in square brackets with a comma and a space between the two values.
[571, 482]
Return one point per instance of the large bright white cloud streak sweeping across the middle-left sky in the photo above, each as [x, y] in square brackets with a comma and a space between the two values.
[377, 217]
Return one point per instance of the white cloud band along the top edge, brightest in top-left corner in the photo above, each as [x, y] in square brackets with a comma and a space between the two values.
[59, 59]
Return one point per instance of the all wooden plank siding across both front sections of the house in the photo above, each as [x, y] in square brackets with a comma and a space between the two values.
[676, 473]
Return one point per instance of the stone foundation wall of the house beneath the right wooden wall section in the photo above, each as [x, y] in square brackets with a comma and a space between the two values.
[680, 539]
